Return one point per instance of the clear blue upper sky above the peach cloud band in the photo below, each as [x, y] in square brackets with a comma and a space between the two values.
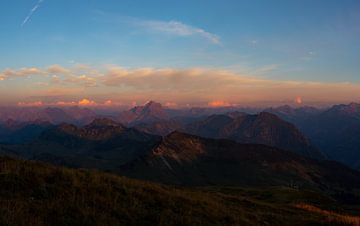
[274, 40]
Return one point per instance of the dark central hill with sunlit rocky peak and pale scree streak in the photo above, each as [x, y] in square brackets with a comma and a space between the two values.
[191, 160]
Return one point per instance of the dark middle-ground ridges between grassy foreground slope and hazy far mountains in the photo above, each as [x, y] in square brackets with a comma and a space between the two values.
[181, 158]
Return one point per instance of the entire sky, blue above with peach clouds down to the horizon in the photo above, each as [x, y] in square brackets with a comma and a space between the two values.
[180, 53]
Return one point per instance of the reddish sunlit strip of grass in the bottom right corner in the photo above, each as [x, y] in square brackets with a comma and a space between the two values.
[331, 216]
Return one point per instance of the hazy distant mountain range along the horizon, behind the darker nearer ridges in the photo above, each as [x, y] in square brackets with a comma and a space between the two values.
[331, 132]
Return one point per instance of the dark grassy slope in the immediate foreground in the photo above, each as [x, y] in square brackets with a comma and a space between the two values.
[34, 193]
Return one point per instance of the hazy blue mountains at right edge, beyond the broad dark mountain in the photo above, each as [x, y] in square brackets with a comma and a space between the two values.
[335, 130]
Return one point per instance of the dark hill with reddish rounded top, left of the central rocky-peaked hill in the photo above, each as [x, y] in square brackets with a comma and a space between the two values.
[102, 144]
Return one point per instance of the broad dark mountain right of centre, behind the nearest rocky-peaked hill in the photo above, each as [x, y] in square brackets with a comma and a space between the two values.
[263, 128]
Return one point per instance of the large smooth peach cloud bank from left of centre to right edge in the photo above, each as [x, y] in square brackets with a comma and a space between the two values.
[207, 85]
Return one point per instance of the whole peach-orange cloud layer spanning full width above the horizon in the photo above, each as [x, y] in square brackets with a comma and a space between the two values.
[179, 87]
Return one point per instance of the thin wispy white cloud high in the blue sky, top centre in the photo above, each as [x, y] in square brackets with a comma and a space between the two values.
[177, 28]
